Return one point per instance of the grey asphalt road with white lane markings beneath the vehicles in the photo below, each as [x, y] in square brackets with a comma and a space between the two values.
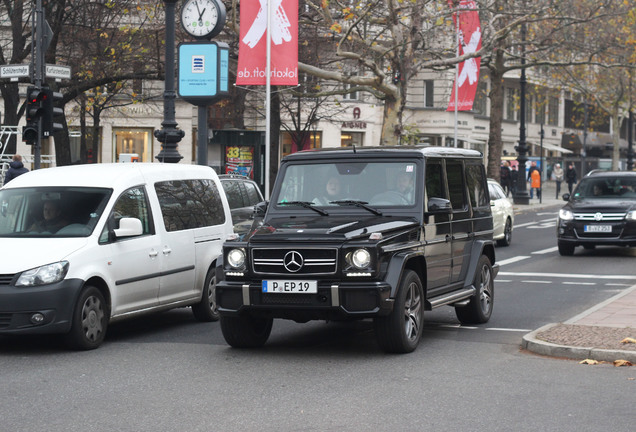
[170, 373]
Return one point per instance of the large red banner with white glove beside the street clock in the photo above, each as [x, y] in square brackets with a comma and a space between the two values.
[253, 43]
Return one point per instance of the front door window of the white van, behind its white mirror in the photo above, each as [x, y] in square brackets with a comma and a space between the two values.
[132, 203]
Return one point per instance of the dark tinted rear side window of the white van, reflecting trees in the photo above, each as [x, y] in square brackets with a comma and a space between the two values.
[188, 204]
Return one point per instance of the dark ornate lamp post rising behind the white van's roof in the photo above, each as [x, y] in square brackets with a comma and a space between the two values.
[169, 136]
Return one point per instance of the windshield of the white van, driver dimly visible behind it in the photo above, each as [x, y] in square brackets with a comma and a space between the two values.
[51, 211]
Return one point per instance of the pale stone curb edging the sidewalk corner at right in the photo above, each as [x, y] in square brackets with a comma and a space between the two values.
[537, 346]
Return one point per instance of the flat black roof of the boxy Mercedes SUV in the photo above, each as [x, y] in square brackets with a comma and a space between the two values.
[425, 151]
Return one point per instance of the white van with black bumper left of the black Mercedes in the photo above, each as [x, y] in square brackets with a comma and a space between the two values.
[85, 245]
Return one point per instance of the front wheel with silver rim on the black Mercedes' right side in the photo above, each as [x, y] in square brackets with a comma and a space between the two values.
[401, 330]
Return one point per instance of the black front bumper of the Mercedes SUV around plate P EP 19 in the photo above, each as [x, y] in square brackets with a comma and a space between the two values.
[334, 300]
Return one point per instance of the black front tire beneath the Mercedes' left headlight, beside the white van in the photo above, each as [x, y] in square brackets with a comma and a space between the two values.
[246, 331]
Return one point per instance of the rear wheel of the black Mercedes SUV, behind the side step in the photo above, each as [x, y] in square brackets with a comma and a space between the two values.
[479, 309]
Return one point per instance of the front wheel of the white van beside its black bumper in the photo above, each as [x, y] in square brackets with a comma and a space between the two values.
[90, 320]
